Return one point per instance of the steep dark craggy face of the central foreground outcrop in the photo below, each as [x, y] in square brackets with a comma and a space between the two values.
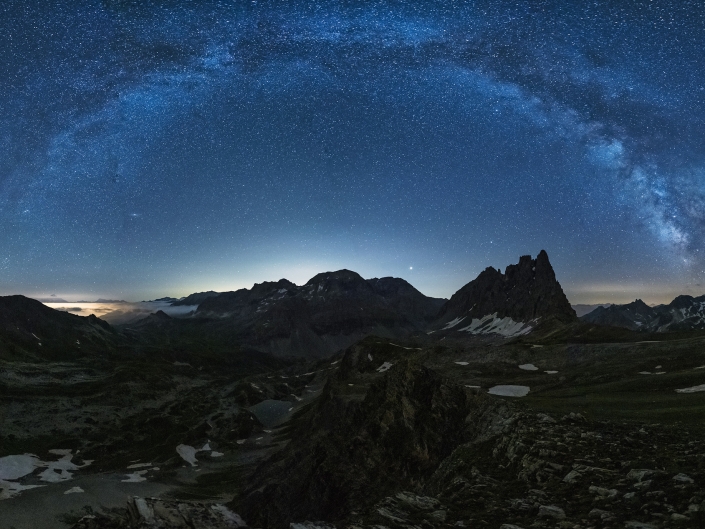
[346, 452]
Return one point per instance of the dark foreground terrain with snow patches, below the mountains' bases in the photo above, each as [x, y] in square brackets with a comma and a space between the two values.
[386, 434]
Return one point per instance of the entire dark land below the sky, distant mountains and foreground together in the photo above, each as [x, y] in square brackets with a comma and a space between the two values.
[352, 402]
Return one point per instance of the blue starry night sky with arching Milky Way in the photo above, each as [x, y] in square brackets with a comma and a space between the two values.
[162, 148]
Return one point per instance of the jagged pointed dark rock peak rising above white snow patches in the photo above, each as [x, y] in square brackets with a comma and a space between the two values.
[526, 291]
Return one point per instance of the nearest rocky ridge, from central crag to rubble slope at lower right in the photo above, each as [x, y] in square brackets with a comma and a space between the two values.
[391, 443]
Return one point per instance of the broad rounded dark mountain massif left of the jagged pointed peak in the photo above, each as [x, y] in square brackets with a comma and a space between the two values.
[329, 313]
